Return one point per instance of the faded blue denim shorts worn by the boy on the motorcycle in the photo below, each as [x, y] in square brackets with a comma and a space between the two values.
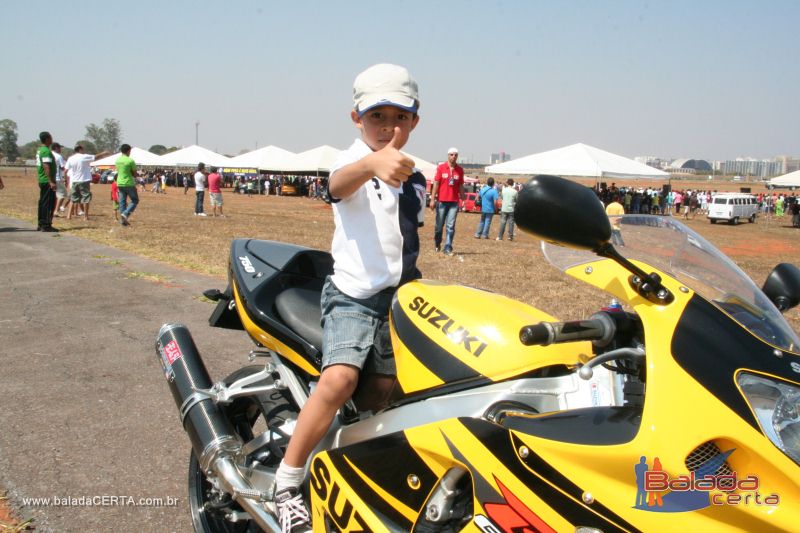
[355, 331]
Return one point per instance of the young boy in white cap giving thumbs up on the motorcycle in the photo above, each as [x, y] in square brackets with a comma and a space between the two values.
[378, 200]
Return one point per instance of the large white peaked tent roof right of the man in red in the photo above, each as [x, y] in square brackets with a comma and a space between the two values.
[578, 160]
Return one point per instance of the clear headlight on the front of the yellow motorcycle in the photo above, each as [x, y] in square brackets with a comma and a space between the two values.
[777, 408]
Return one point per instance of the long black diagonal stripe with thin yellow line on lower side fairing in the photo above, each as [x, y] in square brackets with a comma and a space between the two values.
[569, 506]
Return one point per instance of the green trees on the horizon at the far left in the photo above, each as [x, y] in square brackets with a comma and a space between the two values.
[106, 137]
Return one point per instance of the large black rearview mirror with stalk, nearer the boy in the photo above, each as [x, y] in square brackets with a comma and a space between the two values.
[567, 213]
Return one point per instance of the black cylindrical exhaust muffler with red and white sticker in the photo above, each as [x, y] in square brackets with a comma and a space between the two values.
[208, 428]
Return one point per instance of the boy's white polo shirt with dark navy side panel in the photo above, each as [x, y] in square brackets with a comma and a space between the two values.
[375, 240]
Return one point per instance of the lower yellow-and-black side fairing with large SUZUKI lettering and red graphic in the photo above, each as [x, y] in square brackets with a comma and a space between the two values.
[366, 487]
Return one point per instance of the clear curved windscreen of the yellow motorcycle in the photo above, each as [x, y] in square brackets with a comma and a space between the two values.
[671, 247]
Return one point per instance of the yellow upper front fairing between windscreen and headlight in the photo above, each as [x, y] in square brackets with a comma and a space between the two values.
[680, 415]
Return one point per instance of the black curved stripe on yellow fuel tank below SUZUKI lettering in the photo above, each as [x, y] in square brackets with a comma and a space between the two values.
[435, 358]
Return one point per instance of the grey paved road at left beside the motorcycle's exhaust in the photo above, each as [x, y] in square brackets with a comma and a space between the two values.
[84, 409]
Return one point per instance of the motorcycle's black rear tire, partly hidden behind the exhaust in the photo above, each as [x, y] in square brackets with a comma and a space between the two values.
[250, 416]
